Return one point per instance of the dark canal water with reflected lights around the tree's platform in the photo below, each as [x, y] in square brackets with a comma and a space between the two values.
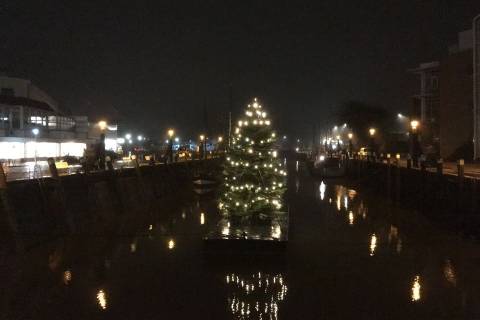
[351, 255]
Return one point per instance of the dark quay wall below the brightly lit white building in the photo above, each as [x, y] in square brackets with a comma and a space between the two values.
[98, 203]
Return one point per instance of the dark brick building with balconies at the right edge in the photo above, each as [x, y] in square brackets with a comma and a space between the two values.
[444, 105]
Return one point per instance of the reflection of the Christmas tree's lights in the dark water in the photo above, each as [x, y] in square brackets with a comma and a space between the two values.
[256, 296]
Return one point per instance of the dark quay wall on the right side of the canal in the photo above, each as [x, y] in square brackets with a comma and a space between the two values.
[451, 200]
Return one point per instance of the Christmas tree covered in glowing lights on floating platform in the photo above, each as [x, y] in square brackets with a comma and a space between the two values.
[254, 177]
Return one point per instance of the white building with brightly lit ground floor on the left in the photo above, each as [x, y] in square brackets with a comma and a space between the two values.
[23, 107]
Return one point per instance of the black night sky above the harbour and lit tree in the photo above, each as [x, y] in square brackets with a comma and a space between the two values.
[157, 65]
